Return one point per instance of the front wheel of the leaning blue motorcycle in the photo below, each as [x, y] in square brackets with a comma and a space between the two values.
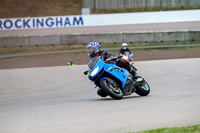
[111, 88]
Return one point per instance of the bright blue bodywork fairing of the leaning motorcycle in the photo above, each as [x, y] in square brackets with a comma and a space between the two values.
[119, 73]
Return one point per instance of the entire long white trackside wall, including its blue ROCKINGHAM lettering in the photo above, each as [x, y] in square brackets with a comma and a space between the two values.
[99, 20]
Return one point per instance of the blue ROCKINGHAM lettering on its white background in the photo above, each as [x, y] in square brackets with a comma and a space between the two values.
[41, 22]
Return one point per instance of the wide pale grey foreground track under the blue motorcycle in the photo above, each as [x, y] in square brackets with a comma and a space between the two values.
[62, 99]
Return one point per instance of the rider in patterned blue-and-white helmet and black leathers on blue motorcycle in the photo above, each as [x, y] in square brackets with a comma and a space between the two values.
[94, 50]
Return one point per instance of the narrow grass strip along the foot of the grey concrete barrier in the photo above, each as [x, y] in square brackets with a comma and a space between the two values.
[19, 50]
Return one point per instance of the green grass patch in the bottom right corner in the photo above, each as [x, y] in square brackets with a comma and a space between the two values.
[188, 129]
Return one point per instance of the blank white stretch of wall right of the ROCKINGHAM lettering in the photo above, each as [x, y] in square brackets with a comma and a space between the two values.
[142, 18]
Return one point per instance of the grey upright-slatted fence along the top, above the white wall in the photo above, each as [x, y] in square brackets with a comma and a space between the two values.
[125, 4]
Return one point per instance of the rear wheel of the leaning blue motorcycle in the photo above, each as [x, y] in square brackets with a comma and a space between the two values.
[142, 88]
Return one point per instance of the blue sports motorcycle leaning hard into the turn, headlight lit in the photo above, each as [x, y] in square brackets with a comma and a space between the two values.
[113, 80]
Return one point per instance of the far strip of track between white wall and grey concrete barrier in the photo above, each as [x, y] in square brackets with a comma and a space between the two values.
[176, 26]
